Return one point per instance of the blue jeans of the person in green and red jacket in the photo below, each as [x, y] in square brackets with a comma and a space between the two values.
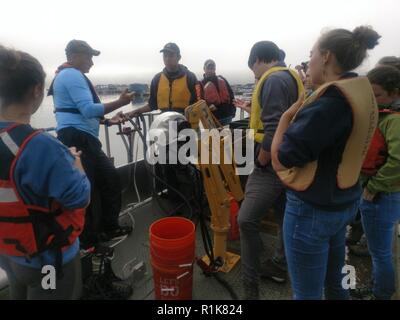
[379, 220]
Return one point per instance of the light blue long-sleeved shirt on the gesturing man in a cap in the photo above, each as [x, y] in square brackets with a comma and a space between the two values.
[71, 90]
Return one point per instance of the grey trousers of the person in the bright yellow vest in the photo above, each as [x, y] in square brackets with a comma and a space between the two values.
[263, 191]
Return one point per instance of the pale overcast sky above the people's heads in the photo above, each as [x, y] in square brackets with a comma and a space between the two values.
[130, 33]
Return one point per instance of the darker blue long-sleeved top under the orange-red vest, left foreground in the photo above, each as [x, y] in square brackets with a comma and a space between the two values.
[46, 170]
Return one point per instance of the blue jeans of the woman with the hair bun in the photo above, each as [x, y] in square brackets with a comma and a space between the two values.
[315, 249]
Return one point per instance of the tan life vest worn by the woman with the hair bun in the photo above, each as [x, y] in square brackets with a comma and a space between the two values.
[358, 92]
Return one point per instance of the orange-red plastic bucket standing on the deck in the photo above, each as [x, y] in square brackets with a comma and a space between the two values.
[172, 249]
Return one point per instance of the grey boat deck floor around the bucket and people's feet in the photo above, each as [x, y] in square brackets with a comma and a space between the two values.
[136, 248]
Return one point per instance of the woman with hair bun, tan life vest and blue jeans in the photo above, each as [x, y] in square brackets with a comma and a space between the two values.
[317, 151]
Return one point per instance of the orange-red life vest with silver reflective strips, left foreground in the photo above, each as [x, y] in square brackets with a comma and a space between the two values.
[25, 229]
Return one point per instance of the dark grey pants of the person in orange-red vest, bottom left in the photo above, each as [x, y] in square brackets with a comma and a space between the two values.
[25, 282]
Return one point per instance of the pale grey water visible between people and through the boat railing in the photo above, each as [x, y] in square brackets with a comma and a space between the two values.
[45, 118]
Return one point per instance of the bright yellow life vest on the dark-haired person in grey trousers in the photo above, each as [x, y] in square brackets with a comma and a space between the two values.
[255, 116]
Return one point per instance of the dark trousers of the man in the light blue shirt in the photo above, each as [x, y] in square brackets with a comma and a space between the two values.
[102, 174]
